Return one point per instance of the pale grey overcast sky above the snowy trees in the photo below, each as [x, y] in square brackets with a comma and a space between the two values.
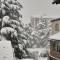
[39, 8]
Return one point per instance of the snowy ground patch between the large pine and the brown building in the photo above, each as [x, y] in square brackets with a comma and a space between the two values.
[37, 53]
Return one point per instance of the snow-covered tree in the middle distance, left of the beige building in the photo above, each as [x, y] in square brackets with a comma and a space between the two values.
[40, 36]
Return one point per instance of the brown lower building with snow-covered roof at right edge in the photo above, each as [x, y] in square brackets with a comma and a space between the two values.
[54, 53]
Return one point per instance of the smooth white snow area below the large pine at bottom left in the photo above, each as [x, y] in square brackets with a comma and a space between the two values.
[6, 52]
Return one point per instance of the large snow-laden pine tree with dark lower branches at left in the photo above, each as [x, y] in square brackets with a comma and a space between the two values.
[10, 24]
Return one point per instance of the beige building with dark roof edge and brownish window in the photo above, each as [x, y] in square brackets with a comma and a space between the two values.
[55, 25]
